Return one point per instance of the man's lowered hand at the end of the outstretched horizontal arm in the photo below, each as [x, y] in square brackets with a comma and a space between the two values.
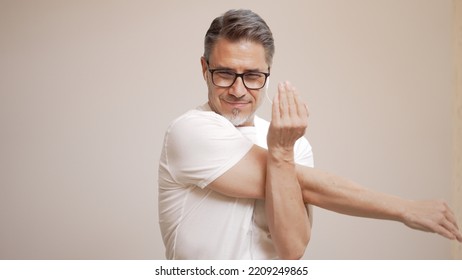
[432, 216]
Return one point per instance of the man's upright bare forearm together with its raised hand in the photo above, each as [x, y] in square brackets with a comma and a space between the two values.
[287, 217]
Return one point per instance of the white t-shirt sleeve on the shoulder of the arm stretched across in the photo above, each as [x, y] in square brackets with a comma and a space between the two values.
[202, 146]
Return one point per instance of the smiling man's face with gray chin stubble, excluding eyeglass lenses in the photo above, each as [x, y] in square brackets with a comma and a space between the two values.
[236, 103]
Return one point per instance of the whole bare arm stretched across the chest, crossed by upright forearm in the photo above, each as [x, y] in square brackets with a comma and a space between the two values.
[248, 179]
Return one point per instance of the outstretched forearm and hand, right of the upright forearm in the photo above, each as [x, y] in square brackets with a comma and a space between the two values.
[347, 197]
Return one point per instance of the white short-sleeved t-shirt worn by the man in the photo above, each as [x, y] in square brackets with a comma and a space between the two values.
[195, 221]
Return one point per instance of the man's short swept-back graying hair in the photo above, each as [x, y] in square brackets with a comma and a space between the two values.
[236, 25]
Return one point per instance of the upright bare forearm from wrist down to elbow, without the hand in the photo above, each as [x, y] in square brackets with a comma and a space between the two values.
[286, 213]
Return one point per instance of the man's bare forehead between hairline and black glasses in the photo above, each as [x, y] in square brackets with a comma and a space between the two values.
[238, 55]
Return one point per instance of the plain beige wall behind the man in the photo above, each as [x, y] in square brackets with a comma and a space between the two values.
[87, 89]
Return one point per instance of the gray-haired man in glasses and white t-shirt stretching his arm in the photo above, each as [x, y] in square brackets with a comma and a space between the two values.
[233, 186]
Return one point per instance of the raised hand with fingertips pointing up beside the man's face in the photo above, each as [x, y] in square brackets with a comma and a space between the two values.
[289, 118]
